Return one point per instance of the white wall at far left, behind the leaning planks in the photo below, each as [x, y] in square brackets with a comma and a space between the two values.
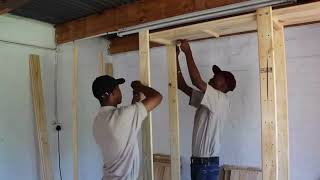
[18, 143]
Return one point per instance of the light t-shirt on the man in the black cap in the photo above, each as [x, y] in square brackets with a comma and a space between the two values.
[116, 132]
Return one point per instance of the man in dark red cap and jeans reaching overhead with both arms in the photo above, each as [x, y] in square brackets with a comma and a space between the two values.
[212, 105]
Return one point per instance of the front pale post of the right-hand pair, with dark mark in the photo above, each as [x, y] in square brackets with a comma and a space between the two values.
[268, 94]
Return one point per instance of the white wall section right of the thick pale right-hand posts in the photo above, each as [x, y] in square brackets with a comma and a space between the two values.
[303, 54]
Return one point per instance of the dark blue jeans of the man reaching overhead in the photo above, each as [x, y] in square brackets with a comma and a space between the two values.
[206, 171]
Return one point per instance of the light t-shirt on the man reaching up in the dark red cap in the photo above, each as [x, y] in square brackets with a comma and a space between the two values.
[212, 108]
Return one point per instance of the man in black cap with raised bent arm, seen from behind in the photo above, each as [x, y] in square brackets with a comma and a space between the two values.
[115, 129]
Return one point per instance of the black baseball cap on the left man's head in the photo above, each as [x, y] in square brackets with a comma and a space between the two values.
[105, 85]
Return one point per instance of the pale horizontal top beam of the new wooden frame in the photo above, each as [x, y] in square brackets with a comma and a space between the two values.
[294, 15]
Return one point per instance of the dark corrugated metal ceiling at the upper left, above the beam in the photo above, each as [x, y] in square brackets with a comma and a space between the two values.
[60, 11]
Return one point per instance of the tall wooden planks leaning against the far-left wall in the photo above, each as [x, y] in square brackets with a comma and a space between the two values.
[40, 119]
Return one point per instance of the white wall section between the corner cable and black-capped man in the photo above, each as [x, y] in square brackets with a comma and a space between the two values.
[90, 161]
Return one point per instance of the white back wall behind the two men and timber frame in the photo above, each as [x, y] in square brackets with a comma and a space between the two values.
[241, 138]
